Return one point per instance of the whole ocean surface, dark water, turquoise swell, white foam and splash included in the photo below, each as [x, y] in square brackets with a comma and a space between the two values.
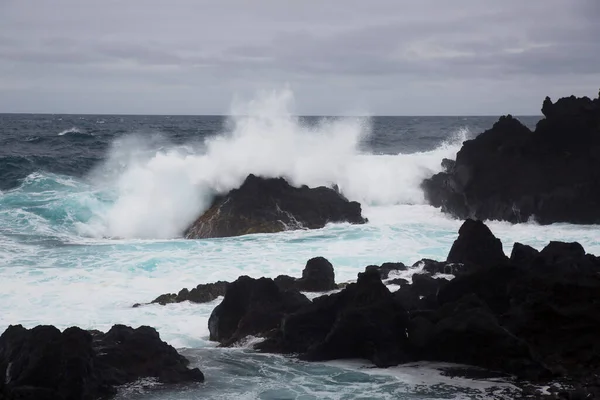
[92, 208]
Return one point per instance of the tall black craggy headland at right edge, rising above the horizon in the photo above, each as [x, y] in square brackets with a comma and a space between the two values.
[511, 173]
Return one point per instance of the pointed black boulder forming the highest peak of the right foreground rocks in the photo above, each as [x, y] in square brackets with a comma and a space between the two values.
[477, 246]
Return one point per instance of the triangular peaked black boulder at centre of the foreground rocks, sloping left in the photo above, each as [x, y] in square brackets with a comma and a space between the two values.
[362, 321]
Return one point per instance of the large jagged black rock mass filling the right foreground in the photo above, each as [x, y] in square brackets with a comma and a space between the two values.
[534, 315]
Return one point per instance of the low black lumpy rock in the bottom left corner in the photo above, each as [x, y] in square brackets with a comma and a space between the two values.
[44, 363]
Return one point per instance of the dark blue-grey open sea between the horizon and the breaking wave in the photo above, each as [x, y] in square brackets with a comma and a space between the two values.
[74, 144]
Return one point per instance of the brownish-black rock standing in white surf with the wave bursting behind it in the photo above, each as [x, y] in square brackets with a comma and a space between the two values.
[264, 205]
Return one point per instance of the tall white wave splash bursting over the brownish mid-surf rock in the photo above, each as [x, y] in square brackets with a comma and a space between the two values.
[159, 189]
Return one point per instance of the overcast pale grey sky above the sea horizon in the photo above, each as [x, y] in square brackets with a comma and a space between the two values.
[339, 57]
